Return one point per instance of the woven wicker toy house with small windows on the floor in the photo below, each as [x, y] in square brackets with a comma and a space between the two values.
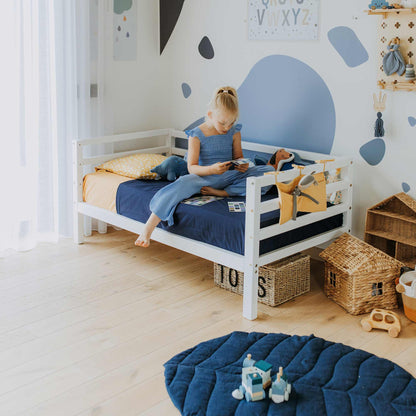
[360, 277]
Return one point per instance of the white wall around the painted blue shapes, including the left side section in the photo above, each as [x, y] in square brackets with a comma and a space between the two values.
[147, 93]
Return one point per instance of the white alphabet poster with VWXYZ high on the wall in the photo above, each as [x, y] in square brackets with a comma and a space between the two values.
[283, 19]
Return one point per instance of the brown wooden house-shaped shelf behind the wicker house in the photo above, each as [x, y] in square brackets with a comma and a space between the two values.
[391, 227]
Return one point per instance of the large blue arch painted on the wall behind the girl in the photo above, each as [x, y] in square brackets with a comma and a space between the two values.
[285, 103]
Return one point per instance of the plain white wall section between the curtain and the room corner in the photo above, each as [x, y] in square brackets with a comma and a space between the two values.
[139, 91]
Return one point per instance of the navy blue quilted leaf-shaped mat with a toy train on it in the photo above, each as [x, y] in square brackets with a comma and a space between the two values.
[327, 378]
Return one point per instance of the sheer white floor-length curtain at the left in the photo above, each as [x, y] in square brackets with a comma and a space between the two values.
[54, 57]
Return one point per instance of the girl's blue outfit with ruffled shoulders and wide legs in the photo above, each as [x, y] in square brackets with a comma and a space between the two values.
[213, 149]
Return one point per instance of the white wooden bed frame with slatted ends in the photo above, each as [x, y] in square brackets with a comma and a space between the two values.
[250, 262]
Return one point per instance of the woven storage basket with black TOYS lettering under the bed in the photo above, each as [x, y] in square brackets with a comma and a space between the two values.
[278, 282]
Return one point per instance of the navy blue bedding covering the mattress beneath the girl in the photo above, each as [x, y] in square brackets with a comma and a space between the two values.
[212, 223]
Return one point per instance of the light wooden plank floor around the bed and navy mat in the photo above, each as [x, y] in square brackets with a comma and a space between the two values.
[85, 330]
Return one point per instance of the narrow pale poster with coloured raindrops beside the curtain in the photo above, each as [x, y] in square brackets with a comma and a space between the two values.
[125, 30]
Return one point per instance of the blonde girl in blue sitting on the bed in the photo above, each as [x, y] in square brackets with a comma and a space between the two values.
[211, 147]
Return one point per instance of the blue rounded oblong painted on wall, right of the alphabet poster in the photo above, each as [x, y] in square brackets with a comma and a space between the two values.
[347, 44]
